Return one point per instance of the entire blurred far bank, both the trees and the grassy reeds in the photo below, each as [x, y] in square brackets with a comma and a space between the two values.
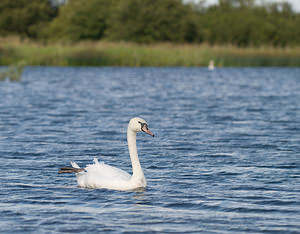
[231, 33]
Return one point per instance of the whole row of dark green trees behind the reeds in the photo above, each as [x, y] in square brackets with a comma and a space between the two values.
[238, 22]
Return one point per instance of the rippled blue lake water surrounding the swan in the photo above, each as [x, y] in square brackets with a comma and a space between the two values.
[226, 156]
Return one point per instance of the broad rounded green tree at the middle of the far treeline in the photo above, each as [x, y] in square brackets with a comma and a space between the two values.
[147, 21]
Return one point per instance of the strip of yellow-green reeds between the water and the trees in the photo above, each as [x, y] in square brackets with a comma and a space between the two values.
[103, 53]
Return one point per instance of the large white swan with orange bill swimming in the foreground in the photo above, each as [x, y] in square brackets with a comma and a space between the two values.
[100, 175]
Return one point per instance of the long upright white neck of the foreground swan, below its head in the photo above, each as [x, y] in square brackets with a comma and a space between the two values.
[137, 171]
